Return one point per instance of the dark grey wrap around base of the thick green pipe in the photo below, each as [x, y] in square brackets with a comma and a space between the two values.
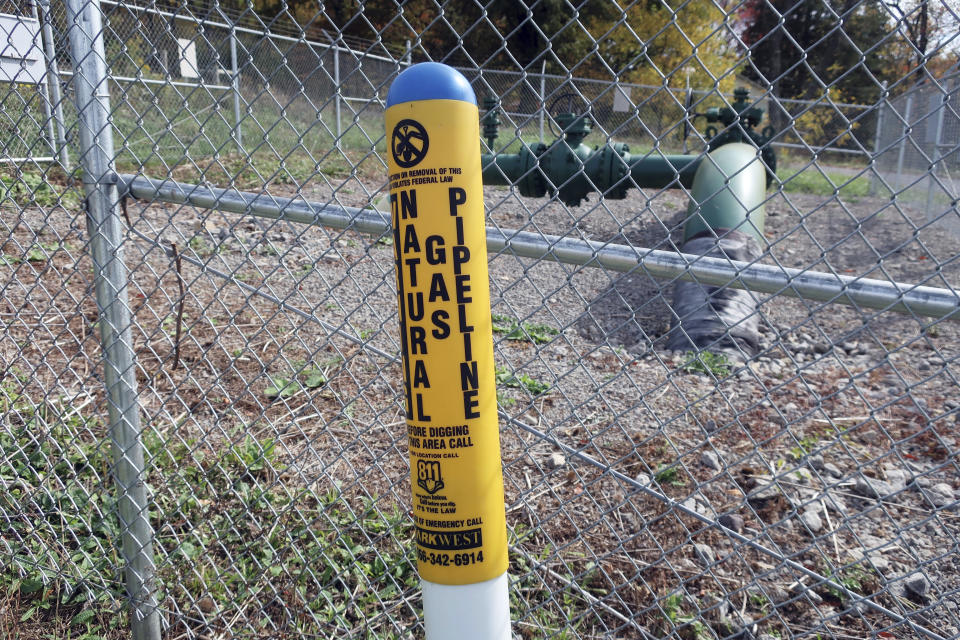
[717, 319]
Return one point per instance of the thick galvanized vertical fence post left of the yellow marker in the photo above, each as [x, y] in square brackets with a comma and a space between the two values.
[85, 30]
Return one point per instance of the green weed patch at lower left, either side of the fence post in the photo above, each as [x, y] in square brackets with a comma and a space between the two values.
[210, 504]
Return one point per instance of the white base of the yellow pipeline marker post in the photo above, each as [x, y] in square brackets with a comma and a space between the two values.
[478, 611]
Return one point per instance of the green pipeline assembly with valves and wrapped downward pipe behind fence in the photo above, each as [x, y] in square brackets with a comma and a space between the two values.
[725, 218]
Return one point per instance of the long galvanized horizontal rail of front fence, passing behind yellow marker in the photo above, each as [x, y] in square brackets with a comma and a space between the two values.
[882, 295]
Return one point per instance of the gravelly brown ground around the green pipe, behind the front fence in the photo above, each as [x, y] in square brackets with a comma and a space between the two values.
[835, 446]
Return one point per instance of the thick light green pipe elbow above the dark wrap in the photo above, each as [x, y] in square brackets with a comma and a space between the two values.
[728, 192]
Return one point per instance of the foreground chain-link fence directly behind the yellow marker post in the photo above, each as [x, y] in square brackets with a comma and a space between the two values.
[202, 428]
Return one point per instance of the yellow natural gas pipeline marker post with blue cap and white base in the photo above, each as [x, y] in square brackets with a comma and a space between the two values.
[439, 239]
